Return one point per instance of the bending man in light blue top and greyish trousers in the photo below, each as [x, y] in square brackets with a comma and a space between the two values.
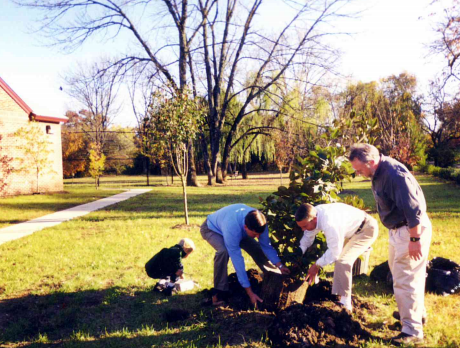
[229, 230]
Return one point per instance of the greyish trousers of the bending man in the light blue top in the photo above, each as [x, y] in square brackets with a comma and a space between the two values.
[221, 257]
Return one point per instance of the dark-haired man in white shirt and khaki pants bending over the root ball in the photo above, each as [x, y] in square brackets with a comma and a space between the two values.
[341, 224]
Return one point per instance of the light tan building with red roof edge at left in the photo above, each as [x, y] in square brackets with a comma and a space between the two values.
[14, 115]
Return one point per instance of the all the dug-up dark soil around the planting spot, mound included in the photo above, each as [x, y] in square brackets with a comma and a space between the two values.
[318, 322]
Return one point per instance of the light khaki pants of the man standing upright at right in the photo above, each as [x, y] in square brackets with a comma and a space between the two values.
[409, 276]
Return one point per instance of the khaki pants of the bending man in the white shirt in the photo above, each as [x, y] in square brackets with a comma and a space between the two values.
[354, 248]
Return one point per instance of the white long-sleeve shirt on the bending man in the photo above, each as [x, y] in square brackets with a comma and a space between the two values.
[338, 221]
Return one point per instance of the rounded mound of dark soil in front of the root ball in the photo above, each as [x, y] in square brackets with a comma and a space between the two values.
[316, 325]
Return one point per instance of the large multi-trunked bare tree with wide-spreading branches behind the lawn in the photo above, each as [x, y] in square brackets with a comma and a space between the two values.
[213, 47]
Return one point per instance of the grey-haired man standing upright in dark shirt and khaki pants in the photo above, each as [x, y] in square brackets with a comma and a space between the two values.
[402, 209]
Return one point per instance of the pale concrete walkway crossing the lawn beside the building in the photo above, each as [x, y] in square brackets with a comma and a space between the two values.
[25, 228]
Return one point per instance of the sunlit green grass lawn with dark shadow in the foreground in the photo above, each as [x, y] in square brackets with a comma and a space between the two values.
[82, 283]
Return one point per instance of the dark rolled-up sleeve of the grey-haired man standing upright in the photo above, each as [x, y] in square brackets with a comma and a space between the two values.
[406, 198]
